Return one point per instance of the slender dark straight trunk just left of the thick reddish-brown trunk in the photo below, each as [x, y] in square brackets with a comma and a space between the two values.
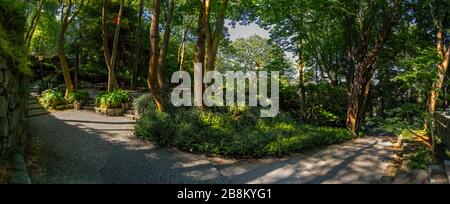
[134, 79]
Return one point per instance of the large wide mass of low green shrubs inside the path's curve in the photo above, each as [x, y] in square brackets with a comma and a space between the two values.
[234, 132]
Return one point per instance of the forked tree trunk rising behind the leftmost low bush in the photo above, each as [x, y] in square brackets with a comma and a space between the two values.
[67, 16]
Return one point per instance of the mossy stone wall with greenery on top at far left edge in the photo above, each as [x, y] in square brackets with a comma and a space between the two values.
[13, 75]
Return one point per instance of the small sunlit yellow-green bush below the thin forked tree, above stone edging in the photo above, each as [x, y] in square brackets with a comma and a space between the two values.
[112, 99]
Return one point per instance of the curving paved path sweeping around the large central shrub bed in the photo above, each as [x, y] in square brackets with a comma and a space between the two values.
[83, 147]
